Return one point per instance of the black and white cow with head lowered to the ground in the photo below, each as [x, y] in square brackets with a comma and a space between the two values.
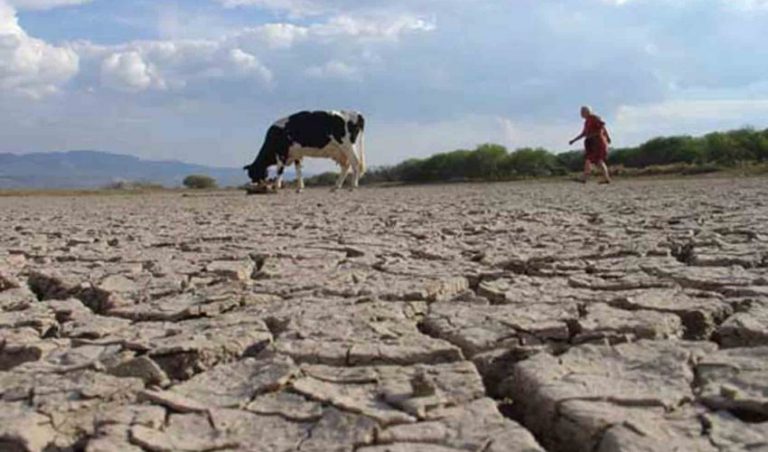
[337, 135]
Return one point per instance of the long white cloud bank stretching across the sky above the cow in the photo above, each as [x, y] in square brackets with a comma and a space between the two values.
[171, 65]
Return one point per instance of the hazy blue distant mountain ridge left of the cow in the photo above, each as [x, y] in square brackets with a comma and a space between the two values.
[94, 169]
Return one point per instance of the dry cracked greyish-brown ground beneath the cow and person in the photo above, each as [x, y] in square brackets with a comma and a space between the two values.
[510, 317]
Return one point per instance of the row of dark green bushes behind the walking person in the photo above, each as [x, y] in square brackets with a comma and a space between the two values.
[492, 162]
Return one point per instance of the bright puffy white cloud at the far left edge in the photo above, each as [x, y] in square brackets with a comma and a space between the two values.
[30, 66]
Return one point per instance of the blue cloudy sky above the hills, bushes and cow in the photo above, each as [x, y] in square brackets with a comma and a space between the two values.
[200, 80]
